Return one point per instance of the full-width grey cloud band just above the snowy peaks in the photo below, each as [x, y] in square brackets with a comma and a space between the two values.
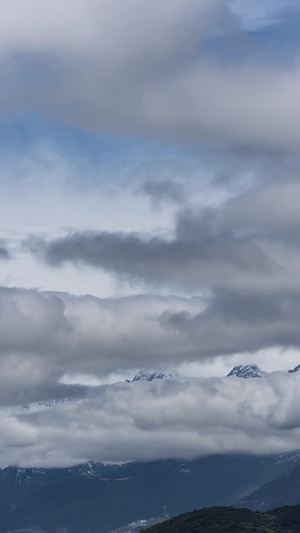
[47, 337]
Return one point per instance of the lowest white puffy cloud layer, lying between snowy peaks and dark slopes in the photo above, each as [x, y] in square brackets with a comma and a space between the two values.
[176, 418]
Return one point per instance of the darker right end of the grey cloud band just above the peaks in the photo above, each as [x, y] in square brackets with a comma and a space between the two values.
[235, 322]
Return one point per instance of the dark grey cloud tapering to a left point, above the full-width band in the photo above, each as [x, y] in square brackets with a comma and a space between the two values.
[249, 241]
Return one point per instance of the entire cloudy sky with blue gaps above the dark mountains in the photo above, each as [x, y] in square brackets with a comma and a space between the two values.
[149, 189]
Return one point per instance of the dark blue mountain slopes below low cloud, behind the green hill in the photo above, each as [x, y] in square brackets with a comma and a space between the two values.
[97, 498]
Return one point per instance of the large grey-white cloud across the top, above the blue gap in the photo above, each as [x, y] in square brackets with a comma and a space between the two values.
[139, 67]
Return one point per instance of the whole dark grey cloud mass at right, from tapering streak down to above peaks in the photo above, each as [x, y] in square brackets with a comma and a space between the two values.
[243, 255]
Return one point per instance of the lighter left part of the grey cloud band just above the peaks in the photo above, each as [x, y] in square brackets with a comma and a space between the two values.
[46, 336]
